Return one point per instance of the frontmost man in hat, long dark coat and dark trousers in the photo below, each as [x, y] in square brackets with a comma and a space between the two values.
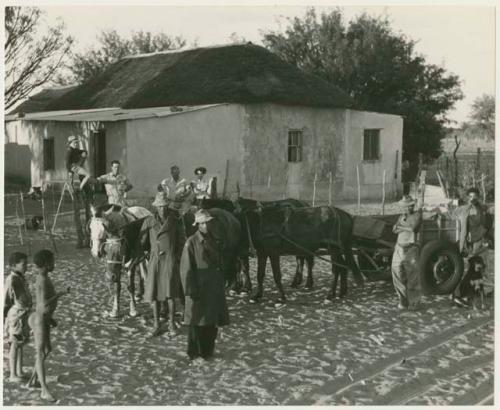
[203, 284]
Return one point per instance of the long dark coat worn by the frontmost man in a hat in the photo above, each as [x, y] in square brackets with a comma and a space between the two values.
[203, 283]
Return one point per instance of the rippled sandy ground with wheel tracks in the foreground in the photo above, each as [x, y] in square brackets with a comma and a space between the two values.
[358, 351]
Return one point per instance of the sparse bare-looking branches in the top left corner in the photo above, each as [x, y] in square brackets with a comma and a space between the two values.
[30, 63]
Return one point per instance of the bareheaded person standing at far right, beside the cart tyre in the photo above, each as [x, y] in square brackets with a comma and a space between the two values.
[472, 229]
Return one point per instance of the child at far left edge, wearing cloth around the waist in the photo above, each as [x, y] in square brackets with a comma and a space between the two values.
[17, 305]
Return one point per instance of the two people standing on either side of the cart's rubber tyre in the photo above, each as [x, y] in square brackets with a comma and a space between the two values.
[472, 240]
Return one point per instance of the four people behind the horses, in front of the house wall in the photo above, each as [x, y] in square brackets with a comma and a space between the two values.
[117, 185]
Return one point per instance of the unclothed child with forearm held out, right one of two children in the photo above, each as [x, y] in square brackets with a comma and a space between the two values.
[41, 319]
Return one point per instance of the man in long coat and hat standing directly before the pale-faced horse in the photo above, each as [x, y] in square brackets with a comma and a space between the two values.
[167, 237]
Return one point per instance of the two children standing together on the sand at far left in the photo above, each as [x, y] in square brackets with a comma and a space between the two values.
[20, 316]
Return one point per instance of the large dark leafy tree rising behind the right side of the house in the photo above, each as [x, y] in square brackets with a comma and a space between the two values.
[378, 68]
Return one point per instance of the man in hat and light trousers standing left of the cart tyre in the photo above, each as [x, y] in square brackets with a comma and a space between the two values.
[405, 275]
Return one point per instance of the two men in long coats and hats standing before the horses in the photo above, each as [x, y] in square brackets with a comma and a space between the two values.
[185, 269]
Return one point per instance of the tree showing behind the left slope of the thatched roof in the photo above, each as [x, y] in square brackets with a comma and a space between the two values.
[111, 48]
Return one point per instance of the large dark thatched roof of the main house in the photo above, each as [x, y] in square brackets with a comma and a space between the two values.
[228, 74]
